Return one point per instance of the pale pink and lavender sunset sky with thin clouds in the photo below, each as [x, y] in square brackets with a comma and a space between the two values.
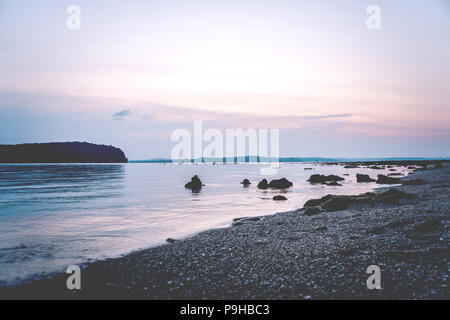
[138, 70]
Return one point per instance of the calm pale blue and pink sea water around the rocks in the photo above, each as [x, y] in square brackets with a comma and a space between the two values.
[52, 216]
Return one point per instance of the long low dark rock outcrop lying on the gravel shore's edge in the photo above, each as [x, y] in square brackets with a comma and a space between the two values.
[336, 203]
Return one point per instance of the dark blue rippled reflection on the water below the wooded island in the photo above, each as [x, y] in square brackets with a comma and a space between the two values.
[45, 186]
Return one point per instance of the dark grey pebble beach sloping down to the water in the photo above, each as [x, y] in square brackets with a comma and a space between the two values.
[288, 256]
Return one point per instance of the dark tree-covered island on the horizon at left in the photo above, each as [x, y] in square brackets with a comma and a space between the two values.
[56, 152]
